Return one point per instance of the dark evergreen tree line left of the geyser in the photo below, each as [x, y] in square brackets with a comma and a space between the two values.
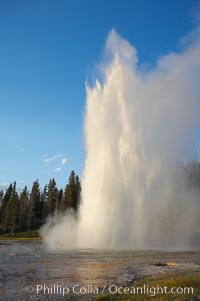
[28, 210]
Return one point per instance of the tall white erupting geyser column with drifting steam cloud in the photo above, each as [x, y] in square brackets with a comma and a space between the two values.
[138, 126]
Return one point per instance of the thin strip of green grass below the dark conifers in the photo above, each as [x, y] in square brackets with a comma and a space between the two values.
[26, 235]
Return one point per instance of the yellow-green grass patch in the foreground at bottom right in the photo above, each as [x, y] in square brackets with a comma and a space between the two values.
[181, 279]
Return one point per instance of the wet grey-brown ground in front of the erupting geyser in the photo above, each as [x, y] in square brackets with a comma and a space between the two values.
[29, 272]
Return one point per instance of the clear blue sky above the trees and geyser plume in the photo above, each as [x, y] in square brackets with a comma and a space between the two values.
[48, 48]
